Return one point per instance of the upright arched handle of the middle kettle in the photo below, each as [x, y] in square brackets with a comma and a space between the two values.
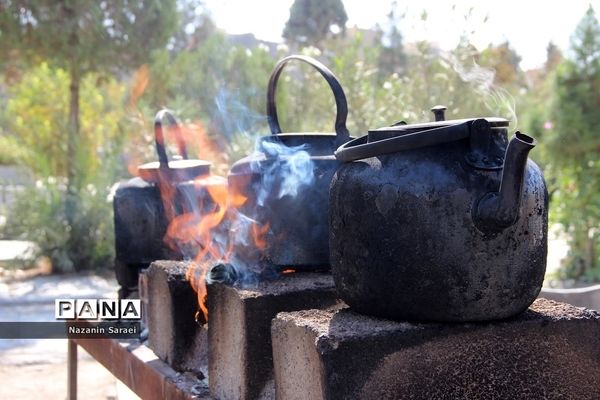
[338, 92]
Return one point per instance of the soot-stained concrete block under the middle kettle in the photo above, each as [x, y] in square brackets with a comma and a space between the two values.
[239, 330]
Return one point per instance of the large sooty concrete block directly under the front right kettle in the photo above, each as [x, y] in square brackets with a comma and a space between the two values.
[551, 351]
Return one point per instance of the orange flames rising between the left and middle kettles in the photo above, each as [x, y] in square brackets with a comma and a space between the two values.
[203, 229]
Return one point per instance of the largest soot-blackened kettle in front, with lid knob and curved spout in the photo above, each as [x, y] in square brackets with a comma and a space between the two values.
[442, 221]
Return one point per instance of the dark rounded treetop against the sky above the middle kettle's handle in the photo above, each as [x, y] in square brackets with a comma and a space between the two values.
[312, 21]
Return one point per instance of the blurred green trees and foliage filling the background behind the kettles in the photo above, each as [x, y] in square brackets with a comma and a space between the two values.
[219, 88]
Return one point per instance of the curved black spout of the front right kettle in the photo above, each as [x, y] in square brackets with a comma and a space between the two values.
[499, 210]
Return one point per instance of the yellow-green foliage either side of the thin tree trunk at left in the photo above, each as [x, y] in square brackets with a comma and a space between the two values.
[34, 118]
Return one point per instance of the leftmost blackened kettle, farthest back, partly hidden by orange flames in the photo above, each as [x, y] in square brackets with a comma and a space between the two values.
[144, 206]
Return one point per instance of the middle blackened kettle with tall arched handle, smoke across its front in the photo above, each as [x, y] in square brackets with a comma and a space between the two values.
[285, 184]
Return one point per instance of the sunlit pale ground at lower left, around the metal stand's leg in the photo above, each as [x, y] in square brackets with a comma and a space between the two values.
[39, 367]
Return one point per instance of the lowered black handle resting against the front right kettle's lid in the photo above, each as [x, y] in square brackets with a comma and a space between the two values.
[360, 148]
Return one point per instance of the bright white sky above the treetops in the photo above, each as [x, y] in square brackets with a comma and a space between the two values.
[527, 24]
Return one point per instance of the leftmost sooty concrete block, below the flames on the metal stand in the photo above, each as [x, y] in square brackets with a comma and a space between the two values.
[171, 305]
